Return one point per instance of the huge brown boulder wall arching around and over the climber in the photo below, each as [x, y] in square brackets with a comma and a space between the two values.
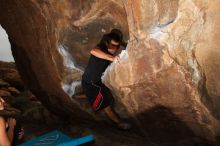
[171, 61]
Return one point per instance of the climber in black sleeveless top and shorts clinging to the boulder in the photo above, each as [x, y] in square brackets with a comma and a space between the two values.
[97, 93]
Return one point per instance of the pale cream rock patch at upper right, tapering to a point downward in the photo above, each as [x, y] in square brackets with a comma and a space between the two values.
[190, 23]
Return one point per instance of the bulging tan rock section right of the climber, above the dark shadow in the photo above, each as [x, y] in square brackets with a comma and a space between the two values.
[162, 66]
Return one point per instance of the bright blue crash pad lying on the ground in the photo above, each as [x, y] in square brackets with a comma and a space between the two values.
[57, 138]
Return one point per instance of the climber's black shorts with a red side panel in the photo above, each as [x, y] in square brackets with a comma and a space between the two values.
[99, 96]
